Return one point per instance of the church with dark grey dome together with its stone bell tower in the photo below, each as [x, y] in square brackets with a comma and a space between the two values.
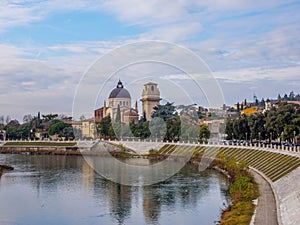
[120, 100]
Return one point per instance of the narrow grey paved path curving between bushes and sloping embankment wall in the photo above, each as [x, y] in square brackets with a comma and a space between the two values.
[266, 213]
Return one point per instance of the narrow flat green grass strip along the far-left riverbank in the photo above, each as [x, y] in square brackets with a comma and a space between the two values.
[39, 144]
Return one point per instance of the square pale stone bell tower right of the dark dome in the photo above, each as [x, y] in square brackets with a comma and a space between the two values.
[150, 98]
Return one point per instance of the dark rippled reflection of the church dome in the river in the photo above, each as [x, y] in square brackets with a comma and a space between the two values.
[120, 201]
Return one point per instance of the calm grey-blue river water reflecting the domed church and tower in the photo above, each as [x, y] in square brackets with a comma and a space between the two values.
[63, 190]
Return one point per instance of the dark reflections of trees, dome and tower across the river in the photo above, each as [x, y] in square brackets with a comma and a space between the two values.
[184, 190]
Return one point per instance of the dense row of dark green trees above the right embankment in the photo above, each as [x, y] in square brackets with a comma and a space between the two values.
[280, 123]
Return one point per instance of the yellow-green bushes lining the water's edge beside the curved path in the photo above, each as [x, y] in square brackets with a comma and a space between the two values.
[242, 189]
